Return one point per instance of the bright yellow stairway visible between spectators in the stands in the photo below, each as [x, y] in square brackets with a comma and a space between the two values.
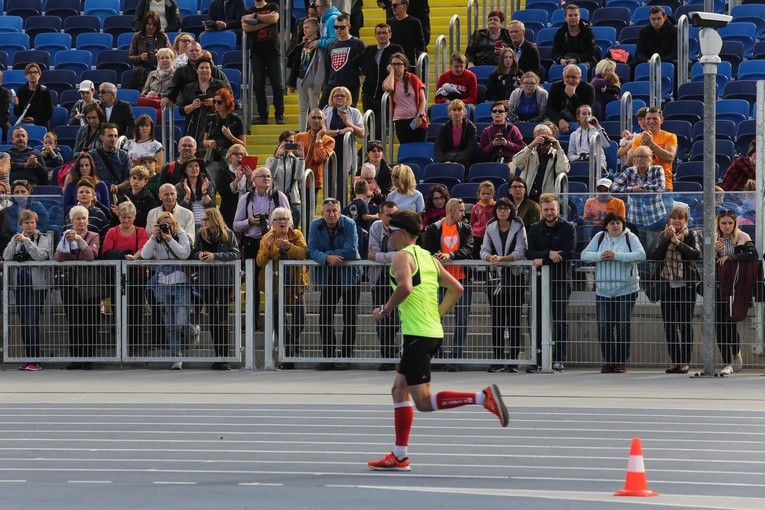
[262, 139]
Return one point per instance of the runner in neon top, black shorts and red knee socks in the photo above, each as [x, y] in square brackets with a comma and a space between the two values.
[415, 278]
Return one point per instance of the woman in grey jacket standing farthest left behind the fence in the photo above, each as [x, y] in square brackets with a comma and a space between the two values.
[31, 285]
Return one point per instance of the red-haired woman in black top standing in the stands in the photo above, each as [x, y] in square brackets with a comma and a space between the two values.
[224, 129]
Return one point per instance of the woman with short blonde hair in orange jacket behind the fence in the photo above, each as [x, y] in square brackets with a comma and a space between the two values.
[283, 242]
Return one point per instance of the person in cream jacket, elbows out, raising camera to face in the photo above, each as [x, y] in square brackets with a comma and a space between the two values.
[541, 161]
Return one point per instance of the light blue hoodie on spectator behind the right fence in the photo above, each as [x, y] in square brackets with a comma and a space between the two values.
[617, 277]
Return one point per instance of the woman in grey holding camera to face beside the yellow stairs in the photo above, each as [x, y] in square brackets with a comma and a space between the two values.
[287, 166]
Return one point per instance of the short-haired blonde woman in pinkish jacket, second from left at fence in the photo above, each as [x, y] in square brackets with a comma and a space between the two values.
[81, 286]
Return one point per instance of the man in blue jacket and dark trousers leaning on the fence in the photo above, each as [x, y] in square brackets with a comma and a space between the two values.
[332, 240]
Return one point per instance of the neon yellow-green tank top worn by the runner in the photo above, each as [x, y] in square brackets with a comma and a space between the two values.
[419, 311]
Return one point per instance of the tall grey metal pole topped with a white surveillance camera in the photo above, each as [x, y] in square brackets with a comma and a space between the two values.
[711, 44]
